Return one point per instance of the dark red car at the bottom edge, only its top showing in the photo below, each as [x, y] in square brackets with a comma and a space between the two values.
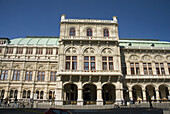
[57, 111]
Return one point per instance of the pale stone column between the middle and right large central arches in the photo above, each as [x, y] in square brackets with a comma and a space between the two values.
[99, 94]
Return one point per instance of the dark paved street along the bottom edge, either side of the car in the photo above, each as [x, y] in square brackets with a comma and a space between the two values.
[85, 111]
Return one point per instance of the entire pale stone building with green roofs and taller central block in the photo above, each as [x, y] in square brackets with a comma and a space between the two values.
[87, 64]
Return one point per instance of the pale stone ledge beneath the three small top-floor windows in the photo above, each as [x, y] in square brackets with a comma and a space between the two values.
[89, 38]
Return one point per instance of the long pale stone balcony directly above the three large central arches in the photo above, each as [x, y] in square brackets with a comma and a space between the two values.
[91, 72]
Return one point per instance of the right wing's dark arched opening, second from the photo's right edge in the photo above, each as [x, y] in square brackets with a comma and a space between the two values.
[150, 92]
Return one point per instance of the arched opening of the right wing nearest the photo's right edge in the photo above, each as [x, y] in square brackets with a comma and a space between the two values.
[163, 92]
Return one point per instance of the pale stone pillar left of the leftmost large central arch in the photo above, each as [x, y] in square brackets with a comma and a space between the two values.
[59, 91]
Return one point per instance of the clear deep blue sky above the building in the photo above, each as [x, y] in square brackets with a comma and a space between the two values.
[148, 19]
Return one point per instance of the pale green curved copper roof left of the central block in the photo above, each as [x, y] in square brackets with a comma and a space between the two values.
[35, 41]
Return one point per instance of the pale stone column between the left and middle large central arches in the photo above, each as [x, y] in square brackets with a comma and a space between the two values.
[80, 94]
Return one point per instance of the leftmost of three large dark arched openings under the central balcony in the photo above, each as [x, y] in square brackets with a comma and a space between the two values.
[70, 94]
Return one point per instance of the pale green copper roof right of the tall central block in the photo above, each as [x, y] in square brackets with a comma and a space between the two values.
[144, 43]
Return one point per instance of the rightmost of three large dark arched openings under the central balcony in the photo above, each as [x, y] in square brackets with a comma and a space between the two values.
[108, 94]
